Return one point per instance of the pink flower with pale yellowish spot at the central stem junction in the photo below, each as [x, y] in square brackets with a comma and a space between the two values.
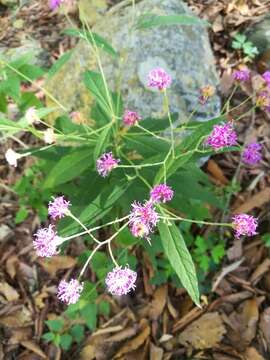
[143, 219]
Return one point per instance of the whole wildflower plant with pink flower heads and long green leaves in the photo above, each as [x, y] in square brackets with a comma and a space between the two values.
[120, 181]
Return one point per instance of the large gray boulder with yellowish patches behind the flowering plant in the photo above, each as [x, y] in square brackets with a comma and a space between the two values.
[183, 50]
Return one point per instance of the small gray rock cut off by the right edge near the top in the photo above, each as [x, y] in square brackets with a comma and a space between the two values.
[259, 34]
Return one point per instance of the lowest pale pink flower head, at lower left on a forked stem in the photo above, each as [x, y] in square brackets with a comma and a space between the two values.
[69, 292]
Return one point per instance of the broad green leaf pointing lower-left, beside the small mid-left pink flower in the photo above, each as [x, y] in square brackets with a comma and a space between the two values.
[69, 167]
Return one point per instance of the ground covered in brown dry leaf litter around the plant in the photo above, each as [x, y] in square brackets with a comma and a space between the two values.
[154, 323]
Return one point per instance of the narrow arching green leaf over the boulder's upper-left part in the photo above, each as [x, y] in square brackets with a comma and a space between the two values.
[93, 38]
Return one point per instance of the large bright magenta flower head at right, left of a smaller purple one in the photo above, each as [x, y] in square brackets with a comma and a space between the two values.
[222, 135]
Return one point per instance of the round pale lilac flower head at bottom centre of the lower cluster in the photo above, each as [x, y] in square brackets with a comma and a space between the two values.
[121, 281]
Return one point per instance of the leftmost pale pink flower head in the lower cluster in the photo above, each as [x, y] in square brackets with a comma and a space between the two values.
[46, 242]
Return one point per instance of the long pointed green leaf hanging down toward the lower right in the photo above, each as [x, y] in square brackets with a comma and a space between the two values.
[180, 258]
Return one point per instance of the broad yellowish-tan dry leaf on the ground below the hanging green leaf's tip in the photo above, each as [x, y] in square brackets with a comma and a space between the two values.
[204, 333]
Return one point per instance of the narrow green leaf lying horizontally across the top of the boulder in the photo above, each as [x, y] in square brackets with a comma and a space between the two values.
[147, 21]
